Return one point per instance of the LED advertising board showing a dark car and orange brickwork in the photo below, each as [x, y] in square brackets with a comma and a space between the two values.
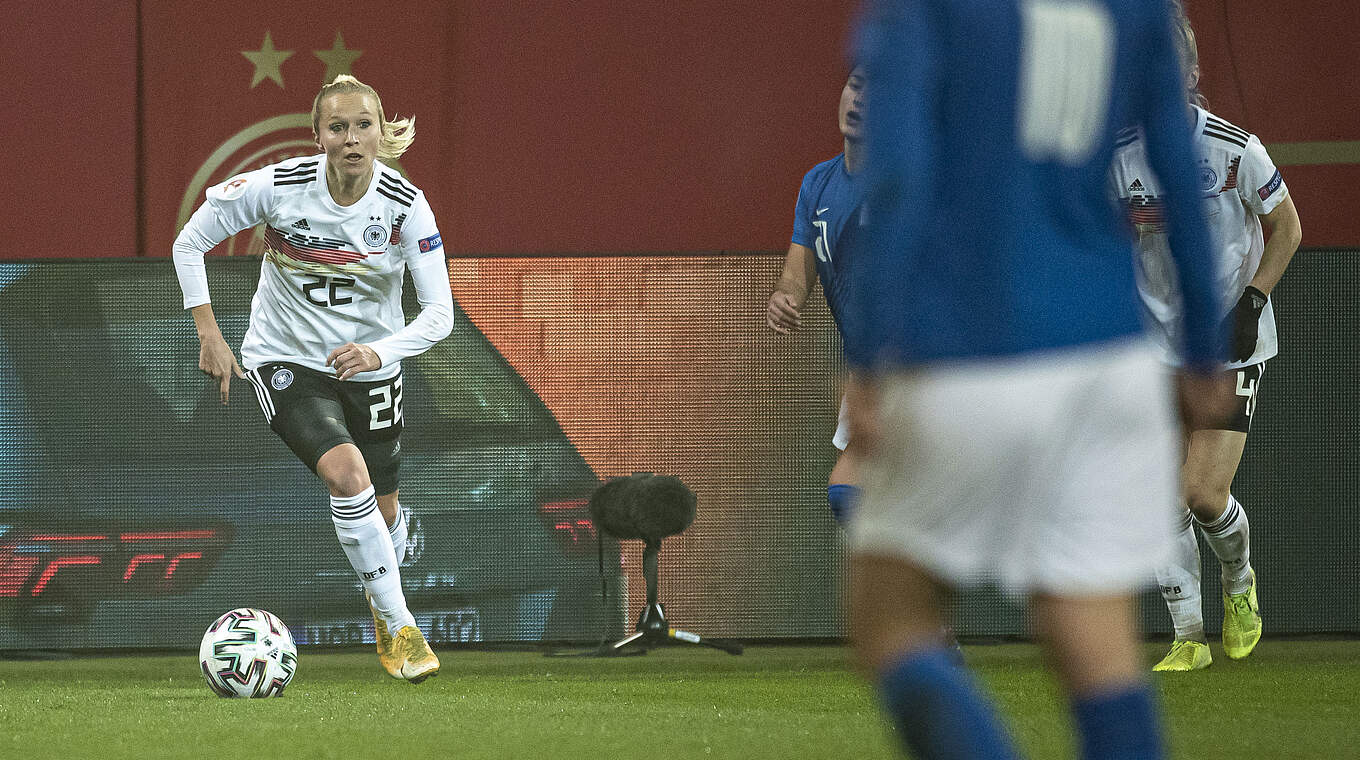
[137, 509]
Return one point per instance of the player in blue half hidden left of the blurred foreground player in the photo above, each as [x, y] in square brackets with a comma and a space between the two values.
[826, 214]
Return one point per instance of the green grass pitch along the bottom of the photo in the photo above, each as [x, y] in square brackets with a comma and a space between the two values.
[1291, 699]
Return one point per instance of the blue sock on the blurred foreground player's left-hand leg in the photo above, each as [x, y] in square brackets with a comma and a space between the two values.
[940, 712]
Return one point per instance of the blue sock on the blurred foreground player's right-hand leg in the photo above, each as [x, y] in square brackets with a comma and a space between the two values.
[1120, 725]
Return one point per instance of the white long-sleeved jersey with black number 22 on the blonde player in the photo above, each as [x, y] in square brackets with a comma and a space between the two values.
[331, 274]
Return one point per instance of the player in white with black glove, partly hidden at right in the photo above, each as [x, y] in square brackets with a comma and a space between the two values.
[1244, 192]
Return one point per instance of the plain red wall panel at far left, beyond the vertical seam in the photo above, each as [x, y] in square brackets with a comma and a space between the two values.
[70, 128]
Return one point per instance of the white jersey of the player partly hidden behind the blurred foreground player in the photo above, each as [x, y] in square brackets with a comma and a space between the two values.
[1240, 183]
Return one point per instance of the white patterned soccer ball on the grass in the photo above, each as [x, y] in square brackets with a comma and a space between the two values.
[248, 653]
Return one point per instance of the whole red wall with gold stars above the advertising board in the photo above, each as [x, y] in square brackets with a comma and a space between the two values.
[561, 128]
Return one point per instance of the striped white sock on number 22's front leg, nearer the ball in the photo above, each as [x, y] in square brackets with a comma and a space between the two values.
[365, 539]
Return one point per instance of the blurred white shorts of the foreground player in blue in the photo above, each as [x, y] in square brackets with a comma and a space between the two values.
[1056, 472]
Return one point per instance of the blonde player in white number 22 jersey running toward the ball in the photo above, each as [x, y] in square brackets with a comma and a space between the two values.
[327, 331]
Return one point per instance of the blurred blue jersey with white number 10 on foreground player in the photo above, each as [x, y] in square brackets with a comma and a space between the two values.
[991, 130]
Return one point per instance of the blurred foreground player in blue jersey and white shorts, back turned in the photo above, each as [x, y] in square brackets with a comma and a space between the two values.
[1018, 425]
